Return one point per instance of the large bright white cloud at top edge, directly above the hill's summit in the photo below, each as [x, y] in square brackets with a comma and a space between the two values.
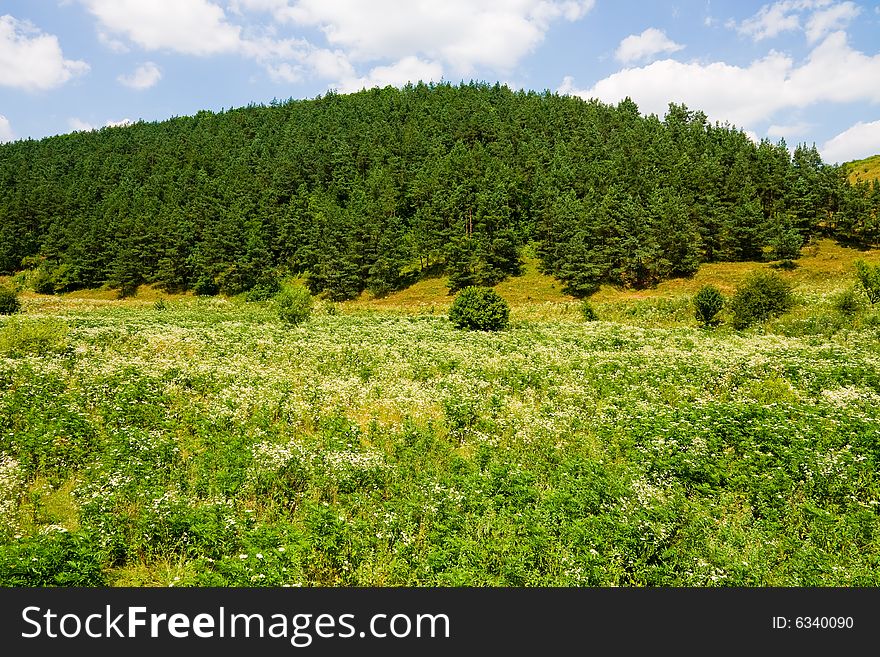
[463, 34]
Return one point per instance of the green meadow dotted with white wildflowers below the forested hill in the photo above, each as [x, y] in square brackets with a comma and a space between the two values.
[201, 441]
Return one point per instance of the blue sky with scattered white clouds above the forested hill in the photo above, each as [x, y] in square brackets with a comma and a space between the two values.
[806, 71]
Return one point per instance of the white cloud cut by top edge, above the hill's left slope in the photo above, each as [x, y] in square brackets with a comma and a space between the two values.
[193, 27]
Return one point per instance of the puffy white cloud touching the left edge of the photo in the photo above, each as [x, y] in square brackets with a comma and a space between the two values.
[31, 59]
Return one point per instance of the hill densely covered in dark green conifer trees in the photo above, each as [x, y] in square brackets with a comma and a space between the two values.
[363, 191]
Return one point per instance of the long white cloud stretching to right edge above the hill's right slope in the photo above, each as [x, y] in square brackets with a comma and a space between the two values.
[833, 72]
